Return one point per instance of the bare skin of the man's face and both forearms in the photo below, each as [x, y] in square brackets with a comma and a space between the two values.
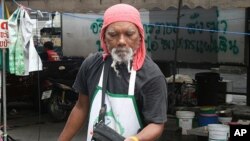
[118, 34]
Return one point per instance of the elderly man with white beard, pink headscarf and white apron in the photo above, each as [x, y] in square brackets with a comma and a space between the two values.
[136, 88]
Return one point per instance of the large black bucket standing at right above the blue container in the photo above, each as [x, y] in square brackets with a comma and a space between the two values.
[207, 88]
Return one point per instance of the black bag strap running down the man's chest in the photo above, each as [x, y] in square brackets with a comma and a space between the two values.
[104, 87]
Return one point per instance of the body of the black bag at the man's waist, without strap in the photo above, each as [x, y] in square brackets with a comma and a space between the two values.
[104, 133]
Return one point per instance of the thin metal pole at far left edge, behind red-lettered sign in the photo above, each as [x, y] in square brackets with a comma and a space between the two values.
[4, 85]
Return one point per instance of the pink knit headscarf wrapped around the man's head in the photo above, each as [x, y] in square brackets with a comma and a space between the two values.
[125, 13]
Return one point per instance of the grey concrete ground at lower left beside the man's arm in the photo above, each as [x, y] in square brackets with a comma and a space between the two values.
[27, 125]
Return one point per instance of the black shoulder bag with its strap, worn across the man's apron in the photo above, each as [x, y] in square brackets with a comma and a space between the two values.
[101, 131]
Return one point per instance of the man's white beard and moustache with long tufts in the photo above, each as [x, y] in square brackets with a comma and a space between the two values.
[121, 55]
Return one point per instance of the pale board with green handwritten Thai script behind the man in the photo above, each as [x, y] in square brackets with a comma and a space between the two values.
[204, 35]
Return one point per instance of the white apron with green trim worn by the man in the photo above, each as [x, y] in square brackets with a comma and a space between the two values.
[122, 112]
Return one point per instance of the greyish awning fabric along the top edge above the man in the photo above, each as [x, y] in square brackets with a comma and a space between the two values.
[82, 6]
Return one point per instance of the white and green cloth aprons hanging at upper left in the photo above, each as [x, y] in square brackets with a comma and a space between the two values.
[23, 57]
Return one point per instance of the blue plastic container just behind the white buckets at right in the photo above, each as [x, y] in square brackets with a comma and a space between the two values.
[205, 119]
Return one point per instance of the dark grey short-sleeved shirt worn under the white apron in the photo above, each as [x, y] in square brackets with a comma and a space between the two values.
[150, 85]
